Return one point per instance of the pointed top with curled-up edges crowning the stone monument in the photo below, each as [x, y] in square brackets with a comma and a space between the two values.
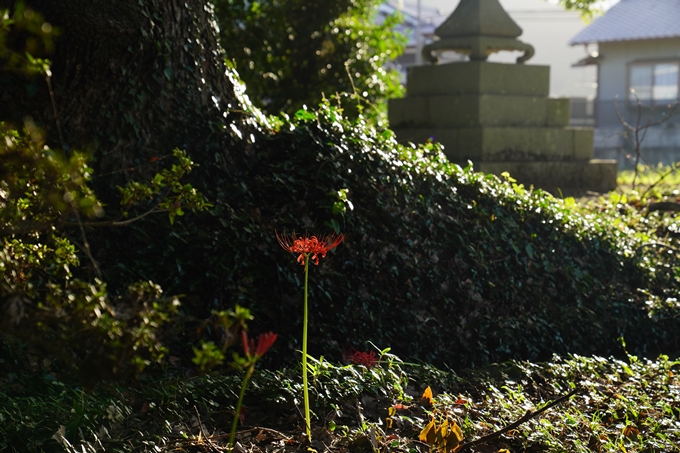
[478, 28]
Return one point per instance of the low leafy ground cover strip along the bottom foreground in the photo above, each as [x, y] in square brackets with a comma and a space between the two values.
[630, 405]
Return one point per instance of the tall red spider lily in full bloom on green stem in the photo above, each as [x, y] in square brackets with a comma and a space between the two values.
[308, 248]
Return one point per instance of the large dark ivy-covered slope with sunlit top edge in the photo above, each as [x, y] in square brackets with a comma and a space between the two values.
[440, 263]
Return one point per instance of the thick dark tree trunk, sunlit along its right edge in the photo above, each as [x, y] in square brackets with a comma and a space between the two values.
[132, 79]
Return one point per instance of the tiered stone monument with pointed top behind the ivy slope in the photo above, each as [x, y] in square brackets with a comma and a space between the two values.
[497, 115]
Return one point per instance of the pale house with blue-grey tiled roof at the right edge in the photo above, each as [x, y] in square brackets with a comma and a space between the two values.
[636, 50]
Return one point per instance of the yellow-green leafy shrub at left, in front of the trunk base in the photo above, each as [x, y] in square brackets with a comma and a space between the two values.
[45, 205]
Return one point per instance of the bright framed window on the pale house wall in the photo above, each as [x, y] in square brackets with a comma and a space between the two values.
[653, 81]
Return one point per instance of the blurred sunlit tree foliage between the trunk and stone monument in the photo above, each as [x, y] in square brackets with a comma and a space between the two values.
[292, 53]
